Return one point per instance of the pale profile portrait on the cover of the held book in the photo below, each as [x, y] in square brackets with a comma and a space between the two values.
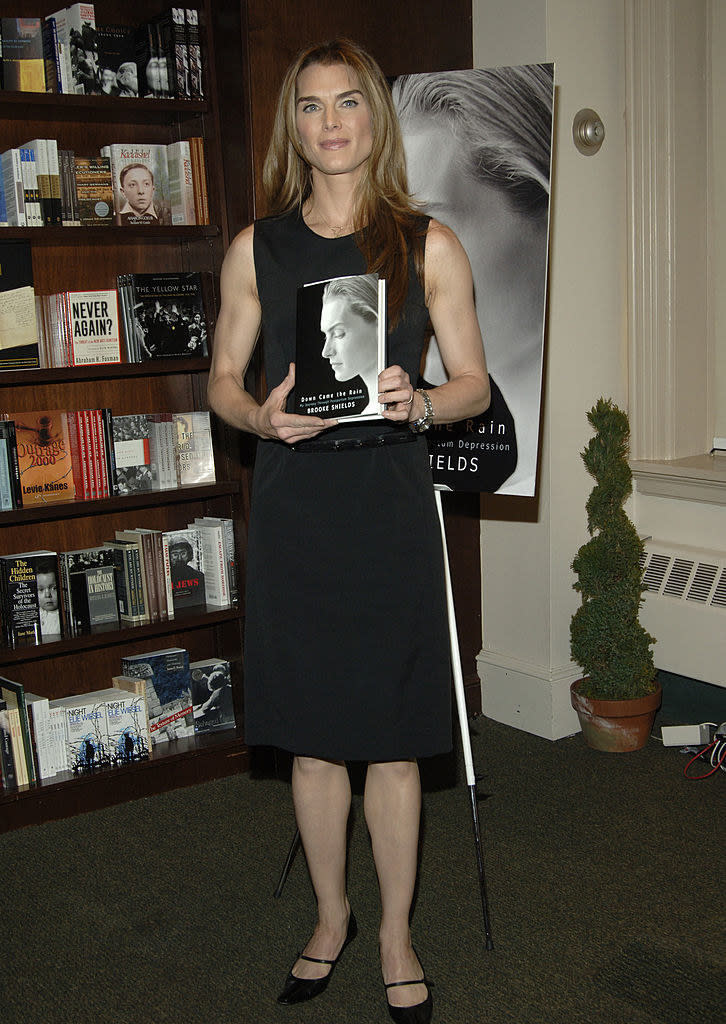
[350, 324]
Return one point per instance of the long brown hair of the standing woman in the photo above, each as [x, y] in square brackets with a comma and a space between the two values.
[387, 224]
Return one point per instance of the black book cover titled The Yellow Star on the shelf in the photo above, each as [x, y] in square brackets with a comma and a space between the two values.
[169, 315]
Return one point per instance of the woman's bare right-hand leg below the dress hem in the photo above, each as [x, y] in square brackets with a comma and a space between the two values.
[393, 805]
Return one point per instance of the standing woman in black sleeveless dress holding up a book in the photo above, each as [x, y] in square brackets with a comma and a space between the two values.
[347, 645]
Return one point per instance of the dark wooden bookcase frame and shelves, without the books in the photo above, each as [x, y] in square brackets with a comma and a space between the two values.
[69, 259]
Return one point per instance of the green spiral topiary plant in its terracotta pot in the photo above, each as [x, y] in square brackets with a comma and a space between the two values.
[618, 698]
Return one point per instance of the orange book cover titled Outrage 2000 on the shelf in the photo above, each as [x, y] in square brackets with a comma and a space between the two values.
[45, 457]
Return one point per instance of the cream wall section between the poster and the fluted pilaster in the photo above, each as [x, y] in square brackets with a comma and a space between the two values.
[528, 598]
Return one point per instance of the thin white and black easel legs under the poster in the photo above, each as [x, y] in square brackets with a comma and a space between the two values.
[466, 742]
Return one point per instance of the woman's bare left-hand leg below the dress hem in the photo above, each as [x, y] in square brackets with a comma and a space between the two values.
[322, 799]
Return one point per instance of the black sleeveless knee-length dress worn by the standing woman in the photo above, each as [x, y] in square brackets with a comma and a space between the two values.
[347, 653]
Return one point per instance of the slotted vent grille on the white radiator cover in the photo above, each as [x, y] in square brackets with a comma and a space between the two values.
[695, 576]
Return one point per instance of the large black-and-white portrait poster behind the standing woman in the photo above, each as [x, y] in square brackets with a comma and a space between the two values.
[479, 148]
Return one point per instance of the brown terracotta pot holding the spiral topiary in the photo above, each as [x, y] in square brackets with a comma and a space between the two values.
[617, 727]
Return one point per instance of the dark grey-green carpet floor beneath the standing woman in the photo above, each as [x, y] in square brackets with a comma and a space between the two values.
[606, 878]
